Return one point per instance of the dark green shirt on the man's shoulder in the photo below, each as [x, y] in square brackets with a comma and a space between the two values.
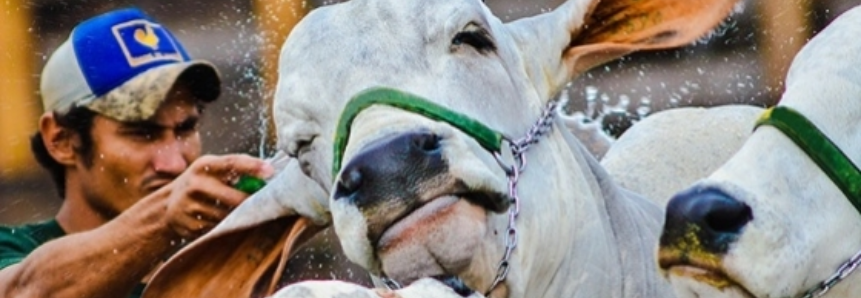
[16, 242]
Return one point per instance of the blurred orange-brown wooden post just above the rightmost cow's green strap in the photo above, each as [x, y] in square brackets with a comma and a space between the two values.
[784, 29]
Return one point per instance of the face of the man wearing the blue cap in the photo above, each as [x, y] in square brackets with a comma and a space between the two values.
[133, 159]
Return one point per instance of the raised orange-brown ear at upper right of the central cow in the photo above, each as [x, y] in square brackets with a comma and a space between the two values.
[617, 27]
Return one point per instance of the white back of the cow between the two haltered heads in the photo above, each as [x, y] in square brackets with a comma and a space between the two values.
[670, 150]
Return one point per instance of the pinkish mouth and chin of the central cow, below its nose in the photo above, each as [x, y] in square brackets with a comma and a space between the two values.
[426, 234]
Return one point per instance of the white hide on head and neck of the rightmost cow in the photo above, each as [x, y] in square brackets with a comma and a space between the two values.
[803, 227]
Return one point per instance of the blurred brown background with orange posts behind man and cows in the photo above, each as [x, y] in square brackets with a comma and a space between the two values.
[743, 62]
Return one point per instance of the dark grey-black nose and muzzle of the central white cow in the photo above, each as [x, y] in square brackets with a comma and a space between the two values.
[398, 174]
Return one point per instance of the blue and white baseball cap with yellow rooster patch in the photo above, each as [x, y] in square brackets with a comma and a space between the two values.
[122, 64]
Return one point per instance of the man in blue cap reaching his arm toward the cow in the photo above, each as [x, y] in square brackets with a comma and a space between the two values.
[119, 135]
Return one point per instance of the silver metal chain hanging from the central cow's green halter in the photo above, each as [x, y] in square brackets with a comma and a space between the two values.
[518, 149]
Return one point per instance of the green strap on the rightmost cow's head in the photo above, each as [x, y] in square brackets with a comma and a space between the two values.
[821, 150]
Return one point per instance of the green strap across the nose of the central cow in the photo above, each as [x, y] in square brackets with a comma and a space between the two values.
[487, 137]
